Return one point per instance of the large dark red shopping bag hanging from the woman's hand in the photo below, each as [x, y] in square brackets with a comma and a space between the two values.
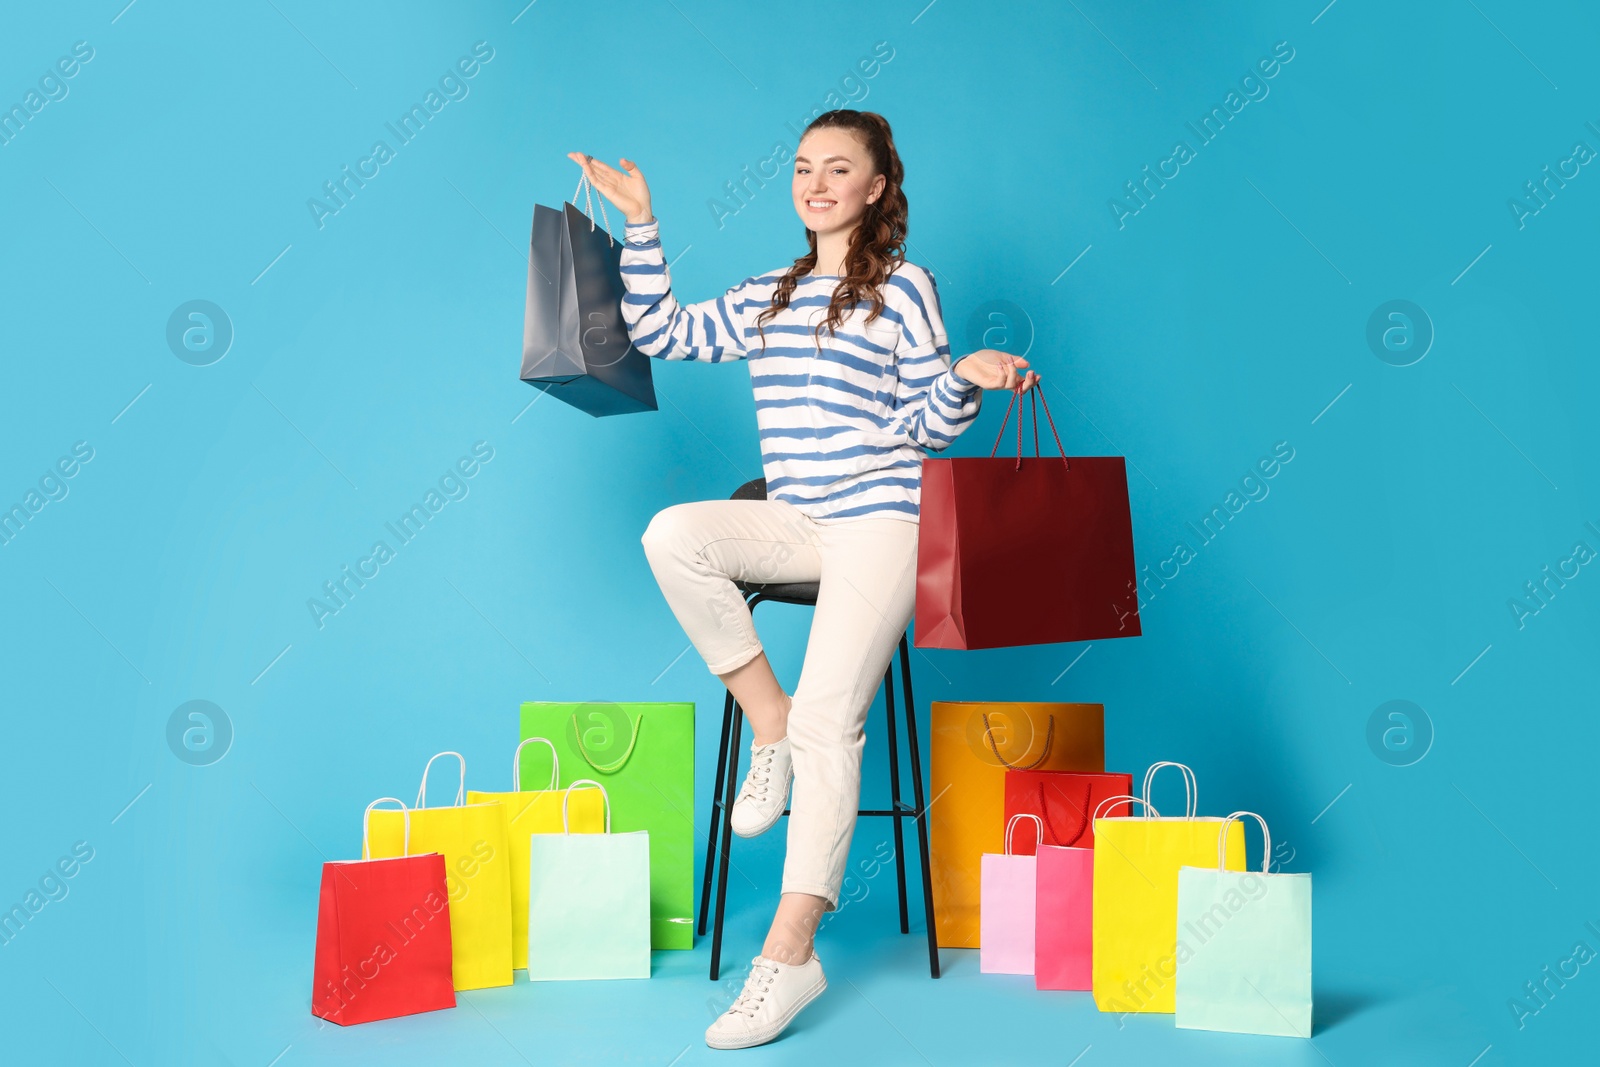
[1025, 553]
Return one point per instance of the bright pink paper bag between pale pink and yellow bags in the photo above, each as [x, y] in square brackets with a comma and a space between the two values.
[1065, 913]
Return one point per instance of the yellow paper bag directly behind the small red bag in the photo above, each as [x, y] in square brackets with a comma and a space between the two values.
[478, 876]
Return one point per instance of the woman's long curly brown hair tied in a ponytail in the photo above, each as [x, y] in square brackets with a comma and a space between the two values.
[878, 246]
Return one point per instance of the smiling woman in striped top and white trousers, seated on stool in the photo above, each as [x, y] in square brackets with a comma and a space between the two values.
[854, 385]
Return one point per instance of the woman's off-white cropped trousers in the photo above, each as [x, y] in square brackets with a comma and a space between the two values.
[868, 588]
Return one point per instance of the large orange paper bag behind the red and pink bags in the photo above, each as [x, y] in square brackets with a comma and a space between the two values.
[974, 746]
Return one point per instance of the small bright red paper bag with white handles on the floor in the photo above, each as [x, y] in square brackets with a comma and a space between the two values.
[383, 937]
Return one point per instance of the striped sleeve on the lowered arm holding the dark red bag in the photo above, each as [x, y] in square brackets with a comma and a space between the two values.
[934, 402]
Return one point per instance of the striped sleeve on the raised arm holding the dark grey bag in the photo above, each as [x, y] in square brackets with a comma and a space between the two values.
[657, 324]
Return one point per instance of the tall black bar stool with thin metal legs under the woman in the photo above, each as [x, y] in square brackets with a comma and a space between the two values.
[727, 772]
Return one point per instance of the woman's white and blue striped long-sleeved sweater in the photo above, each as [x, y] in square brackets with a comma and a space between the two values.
[846, 426]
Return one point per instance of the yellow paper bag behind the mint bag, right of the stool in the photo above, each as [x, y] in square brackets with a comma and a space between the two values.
[1137, 951]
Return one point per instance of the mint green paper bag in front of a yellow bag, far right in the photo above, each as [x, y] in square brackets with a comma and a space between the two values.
[1244, 948]
